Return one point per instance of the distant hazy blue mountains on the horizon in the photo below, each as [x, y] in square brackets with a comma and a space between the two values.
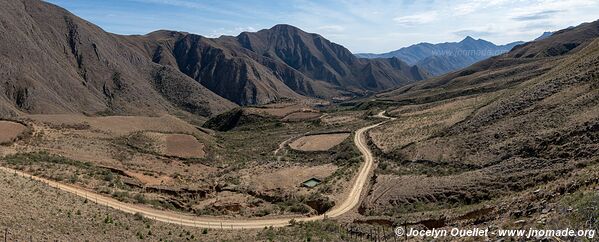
[438, 59]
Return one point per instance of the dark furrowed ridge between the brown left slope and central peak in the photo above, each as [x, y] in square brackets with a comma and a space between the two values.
[221, 69]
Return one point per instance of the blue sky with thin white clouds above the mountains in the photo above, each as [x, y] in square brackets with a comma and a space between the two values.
[360, 25]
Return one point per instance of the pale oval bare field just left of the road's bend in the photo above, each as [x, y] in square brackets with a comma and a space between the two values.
[318, 142]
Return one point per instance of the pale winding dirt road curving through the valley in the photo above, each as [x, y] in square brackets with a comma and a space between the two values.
[229, 223]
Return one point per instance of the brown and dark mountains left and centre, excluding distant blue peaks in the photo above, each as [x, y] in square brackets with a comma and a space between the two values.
[54, 62]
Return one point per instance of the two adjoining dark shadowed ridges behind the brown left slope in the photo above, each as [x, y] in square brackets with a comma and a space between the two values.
[276, 63]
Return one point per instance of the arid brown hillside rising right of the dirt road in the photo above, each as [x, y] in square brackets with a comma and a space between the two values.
[481, 135]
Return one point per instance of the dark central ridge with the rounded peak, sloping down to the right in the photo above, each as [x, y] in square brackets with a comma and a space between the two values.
[323, 60]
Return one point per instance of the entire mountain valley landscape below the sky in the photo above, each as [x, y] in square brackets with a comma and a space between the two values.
[283, 135]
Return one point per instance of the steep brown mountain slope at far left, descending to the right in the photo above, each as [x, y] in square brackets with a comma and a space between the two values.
[55, 62]
